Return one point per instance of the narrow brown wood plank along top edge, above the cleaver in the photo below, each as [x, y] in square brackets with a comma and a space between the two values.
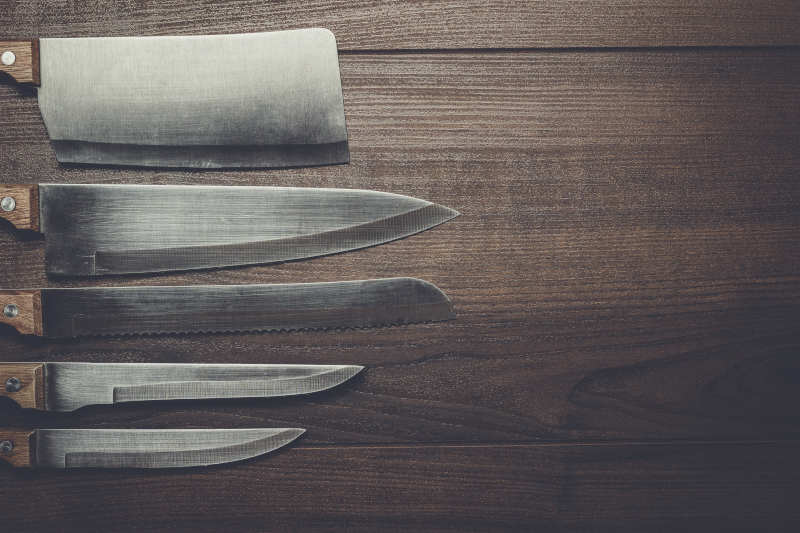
[450, 24]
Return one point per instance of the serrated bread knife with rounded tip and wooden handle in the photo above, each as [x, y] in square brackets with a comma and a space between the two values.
[76, 312]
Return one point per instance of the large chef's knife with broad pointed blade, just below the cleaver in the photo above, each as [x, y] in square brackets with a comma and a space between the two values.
[94, 230]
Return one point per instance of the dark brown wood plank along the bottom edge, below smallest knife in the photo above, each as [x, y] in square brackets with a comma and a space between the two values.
[613, 487]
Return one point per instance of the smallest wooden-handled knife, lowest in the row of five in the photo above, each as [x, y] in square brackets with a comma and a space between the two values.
[138, 448]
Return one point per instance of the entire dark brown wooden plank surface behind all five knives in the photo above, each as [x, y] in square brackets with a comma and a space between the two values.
[626, 272]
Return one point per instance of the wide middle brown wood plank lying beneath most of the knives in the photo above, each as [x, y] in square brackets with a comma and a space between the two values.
[625, 265]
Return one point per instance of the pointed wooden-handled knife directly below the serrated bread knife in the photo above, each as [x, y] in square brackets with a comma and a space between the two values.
[70, 386]
